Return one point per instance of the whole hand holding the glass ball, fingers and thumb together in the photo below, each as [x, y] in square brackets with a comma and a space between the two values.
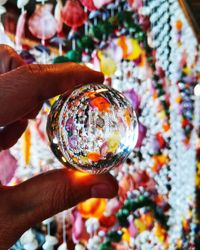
[23, 89]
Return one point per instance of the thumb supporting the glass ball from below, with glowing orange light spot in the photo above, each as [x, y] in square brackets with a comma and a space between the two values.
[50, 193]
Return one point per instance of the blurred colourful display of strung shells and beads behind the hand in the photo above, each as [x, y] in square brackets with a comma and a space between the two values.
[148, 51]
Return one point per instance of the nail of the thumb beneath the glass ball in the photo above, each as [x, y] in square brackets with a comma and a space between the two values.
[103, 191]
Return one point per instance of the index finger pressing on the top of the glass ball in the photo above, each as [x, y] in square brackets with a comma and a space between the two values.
[24, 88]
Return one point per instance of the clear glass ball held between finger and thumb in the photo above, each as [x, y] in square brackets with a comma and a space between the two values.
[93, 129]
